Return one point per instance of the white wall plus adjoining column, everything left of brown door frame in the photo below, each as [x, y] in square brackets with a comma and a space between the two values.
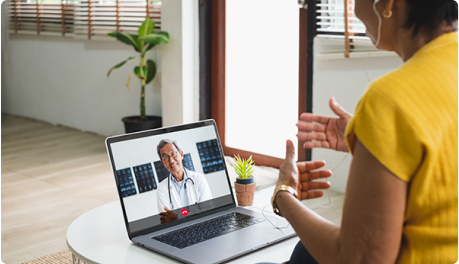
[64, 81]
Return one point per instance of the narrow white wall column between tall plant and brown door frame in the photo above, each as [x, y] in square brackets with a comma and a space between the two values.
[180, 62]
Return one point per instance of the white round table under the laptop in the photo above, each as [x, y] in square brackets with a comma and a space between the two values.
[100, 236]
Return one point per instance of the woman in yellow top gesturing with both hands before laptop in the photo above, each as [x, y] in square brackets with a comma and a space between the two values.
[402, 197]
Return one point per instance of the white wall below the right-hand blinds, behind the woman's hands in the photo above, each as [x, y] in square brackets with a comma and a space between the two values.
[346, 80]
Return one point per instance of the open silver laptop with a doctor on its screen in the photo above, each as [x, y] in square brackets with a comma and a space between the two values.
[180, 203]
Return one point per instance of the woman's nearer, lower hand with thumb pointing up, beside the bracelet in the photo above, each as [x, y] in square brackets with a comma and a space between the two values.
[299, 175]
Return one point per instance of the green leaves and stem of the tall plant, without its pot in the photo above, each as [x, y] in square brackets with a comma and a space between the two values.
[142, 43]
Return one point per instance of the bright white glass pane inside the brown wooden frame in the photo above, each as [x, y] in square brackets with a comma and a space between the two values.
[261, 75]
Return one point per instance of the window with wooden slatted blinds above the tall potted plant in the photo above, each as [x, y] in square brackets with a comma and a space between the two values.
[80, 18]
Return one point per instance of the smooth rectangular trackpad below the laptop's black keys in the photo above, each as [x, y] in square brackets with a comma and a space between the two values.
[242, 240]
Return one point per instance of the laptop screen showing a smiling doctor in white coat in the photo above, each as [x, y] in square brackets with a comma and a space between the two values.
[169, 174]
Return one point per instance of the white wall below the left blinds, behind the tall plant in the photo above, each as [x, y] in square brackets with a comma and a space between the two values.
[64, 81]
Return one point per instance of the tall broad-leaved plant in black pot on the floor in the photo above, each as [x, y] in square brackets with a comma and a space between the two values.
[145, 70]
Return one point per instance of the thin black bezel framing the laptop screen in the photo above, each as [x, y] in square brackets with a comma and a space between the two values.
[156, 132]
